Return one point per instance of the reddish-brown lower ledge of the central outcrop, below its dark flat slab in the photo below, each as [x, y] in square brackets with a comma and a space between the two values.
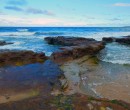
[76, 52]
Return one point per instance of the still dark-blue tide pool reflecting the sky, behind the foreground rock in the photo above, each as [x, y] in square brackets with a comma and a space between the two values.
[15, 80]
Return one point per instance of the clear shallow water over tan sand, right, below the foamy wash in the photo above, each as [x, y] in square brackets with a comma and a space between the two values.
[107, 80]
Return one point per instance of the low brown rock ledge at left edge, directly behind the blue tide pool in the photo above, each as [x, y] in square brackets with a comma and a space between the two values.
[20, 57]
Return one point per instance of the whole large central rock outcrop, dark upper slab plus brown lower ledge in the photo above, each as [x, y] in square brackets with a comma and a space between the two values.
[74, 48]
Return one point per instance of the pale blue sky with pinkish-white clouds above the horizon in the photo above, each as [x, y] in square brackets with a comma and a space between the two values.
[65, 13]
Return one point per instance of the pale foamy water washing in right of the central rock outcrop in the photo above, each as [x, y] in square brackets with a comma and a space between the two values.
[116, 53]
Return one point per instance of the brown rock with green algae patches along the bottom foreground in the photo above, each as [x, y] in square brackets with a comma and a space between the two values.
[61, 102]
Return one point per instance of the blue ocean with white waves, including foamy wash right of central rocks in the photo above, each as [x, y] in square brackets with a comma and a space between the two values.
[32, 38]
